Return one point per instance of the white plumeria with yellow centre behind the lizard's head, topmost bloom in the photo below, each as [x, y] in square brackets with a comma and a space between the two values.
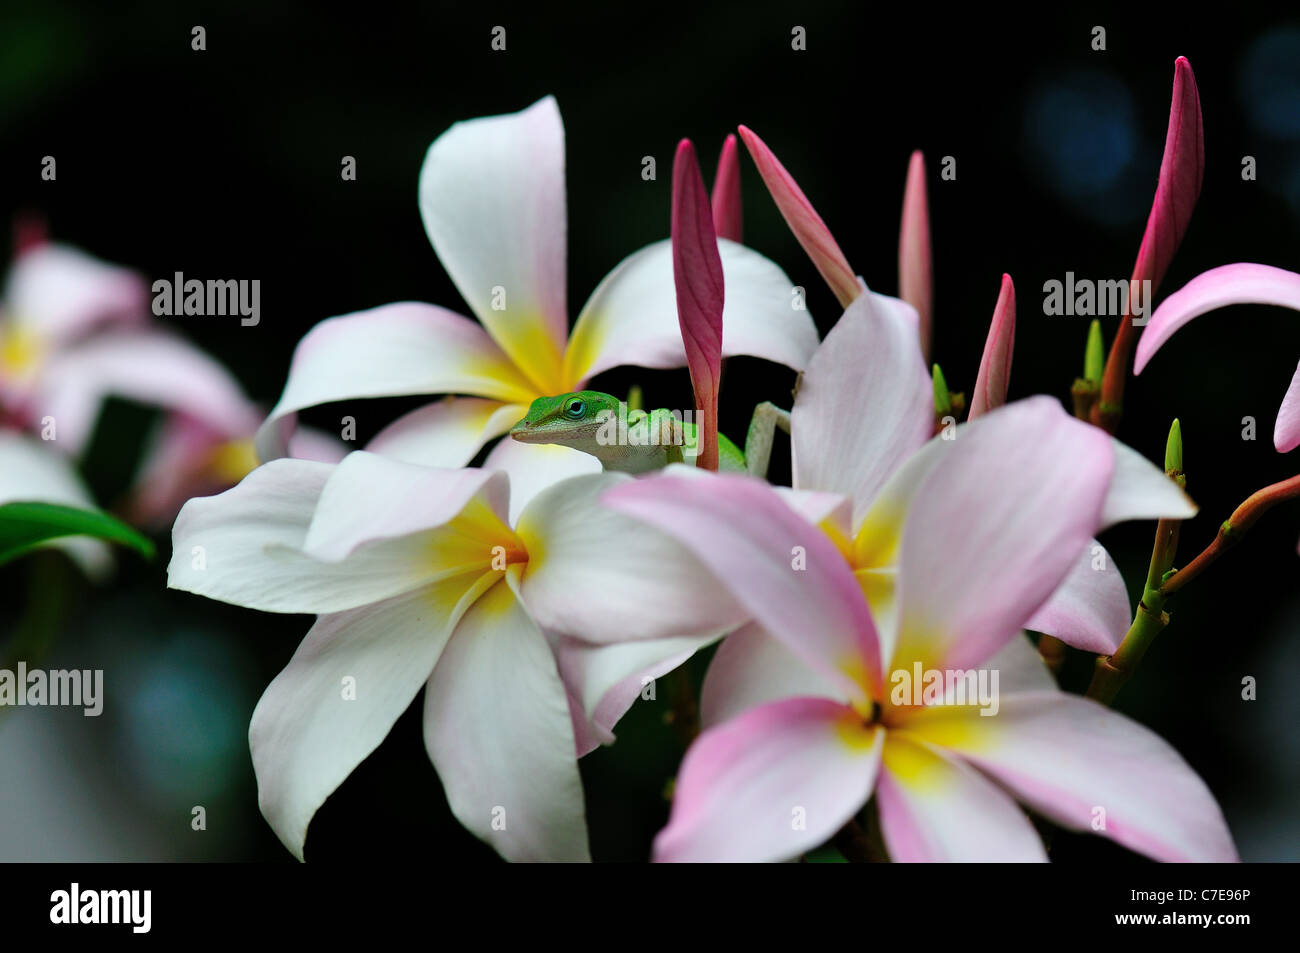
[493, 202]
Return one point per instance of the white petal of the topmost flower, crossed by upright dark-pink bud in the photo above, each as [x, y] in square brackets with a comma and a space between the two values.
[632, 315]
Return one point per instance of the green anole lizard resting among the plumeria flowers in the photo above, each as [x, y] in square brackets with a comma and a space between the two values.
[636, 441]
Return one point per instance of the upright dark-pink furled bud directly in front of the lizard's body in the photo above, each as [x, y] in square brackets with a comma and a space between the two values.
[697, 274]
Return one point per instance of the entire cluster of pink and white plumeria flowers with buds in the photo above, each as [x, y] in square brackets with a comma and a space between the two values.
[852, 616]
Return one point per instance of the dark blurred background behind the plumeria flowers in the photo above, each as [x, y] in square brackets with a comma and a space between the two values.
[226, 163]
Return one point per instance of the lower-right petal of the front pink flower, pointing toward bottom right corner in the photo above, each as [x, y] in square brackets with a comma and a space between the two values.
[1067, 757]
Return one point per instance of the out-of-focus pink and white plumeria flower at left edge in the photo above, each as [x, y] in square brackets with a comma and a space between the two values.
[76, 331]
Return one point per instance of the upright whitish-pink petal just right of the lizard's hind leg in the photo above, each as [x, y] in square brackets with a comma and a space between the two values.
[865, 406]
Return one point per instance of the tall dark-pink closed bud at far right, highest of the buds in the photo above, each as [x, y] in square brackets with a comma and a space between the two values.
[1180, 185]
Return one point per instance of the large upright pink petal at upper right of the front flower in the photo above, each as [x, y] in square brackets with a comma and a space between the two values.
[995, 531]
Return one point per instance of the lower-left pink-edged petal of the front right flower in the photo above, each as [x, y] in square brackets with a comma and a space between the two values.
[772, 785]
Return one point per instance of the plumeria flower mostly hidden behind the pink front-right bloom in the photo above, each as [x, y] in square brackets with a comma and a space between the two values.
[860, 432]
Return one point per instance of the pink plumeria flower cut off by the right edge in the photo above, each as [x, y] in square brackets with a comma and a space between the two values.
[1223, 288]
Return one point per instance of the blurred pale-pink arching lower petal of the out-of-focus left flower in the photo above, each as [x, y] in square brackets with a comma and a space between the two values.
[150, 367]
